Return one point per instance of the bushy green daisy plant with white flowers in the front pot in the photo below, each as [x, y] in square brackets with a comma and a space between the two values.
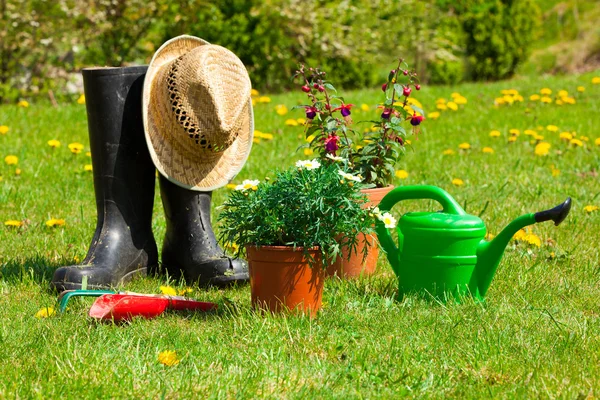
[313, 204]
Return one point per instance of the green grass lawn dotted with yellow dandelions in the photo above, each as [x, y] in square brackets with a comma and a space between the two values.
[537, 335]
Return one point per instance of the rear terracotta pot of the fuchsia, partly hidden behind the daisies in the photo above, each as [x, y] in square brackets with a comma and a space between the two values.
[355, 266]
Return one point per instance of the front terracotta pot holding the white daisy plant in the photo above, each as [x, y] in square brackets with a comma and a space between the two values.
[282, 279]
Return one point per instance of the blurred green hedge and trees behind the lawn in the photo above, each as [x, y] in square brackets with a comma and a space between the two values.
[45, 43]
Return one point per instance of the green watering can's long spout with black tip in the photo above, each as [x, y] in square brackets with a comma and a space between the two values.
[490, 253]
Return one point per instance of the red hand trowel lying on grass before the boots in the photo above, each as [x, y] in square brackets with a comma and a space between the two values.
[123, 307]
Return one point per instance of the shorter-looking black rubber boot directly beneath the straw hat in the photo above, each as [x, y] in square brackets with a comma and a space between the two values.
[190, 249]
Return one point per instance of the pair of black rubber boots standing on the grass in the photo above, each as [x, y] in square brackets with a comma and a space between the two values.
[123, 245]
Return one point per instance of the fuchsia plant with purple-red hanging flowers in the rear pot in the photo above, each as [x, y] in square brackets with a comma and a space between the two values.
[331, 134]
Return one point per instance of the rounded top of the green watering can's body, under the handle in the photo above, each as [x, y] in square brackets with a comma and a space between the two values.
[439, 221]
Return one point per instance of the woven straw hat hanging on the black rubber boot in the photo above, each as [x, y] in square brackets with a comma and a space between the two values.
[197, 113]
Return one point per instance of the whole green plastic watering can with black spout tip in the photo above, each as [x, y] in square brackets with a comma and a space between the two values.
[446, 252]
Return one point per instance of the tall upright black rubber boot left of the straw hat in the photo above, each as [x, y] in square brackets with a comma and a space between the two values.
[124, 177]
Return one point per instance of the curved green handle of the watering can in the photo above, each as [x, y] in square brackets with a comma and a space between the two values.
[416, 192]
